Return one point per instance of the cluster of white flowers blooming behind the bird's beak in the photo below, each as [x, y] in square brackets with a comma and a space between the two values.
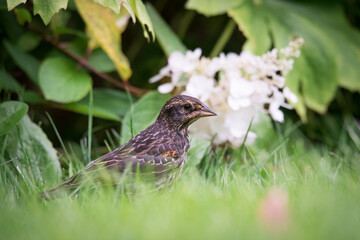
[237, 87]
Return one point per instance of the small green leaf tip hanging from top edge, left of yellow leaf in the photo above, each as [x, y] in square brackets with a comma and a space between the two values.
[47, 8]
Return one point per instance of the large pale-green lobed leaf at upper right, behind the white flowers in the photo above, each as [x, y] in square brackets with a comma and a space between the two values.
[330, 56]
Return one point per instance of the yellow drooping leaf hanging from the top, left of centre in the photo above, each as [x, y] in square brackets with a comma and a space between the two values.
[101, 23]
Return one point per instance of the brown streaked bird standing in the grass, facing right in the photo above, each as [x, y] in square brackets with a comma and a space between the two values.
[159, 151]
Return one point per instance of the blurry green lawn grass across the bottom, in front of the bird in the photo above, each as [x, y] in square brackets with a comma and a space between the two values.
[220, 198]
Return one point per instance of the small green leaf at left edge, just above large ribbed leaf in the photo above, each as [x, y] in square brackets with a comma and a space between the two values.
[11, 113]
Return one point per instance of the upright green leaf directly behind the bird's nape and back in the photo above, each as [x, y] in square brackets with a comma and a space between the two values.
[143, 113]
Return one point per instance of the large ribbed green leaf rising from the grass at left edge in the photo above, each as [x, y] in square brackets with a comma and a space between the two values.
[31, 153]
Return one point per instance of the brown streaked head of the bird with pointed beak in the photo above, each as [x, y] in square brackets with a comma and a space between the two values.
[180, 111]
